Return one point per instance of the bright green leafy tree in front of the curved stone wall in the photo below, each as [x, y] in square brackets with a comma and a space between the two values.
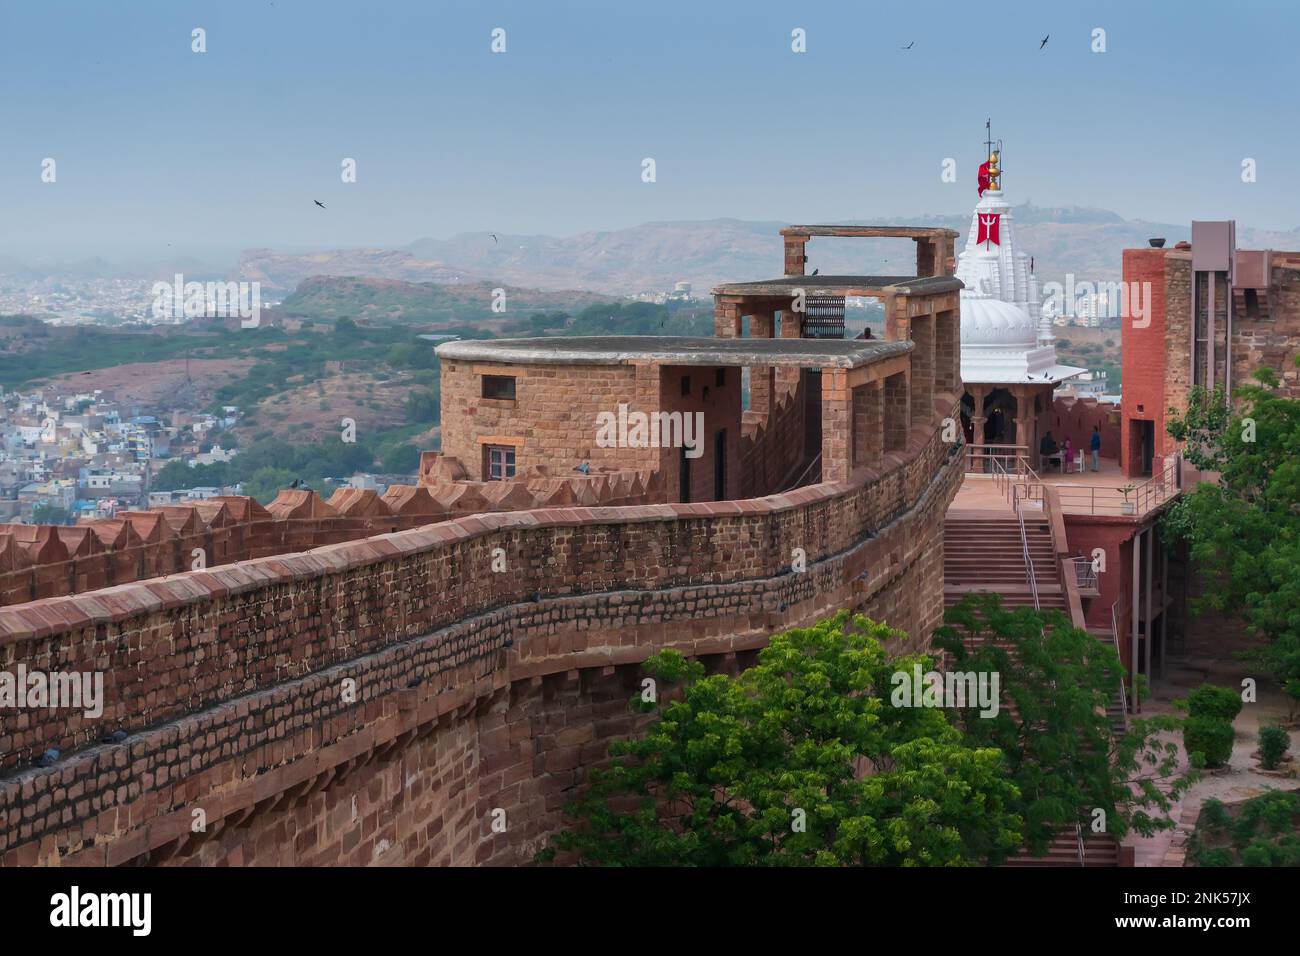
[768, 768]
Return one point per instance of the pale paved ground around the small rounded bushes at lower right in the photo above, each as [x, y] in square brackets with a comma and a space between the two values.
[1241, 780]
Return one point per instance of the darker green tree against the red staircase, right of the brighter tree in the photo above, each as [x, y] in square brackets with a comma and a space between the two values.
[1061, 751]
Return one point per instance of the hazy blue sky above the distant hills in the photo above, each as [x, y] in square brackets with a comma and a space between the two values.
[162, 152]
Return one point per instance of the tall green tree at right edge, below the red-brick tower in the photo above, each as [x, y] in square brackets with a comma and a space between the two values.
[1243, 531]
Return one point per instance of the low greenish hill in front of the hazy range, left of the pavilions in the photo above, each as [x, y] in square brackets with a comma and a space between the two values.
[393, 301]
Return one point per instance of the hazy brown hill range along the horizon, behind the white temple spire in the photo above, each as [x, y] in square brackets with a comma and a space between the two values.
[656, 256]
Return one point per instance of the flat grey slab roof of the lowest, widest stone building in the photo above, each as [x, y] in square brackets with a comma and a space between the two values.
[674, 351]
